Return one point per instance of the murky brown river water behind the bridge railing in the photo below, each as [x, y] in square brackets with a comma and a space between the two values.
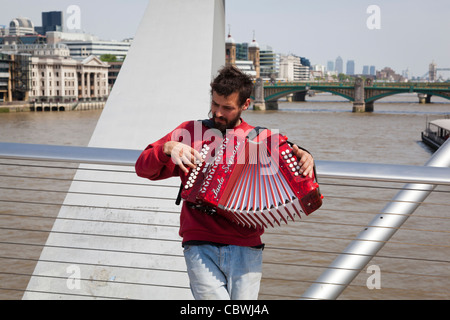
[414, 265]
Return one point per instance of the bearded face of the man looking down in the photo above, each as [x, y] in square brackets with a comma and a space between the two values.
[226, 110]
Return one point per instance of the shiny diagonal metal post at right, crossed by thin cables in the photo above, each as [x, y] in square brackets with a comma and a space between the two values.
[341, 272]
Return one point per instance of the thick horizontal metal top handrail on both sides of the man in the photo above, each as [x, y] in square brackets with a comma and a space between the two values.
[325, 169]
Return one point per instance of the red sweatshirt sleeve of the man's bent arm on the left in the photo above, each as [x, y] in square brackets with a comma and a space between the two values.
[154, 164]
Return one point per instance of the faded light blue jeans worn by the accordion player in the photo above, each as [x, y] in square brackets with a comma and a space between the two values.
[223, 272]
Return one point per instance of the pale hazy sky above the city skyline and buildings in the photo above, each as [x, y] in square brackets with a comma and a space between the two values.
[401, 34]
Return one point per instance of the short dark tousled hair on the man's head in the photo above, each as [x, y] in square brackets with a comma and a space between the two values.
[230, 80]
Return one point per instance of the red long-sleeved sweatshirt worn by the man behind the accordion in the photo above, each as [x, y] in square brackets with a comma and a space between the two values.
[154, 164]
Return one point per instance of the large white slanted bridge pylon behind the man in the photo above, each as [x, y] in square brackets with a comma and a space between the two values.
[105, 252]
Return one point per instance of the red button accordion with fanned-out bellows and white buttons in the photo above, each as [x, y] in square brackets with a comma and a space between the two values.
[253, 182]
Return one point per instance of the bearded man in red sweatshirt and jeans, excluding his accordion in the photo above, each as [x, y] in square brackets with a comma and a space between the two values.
[223, 258]
